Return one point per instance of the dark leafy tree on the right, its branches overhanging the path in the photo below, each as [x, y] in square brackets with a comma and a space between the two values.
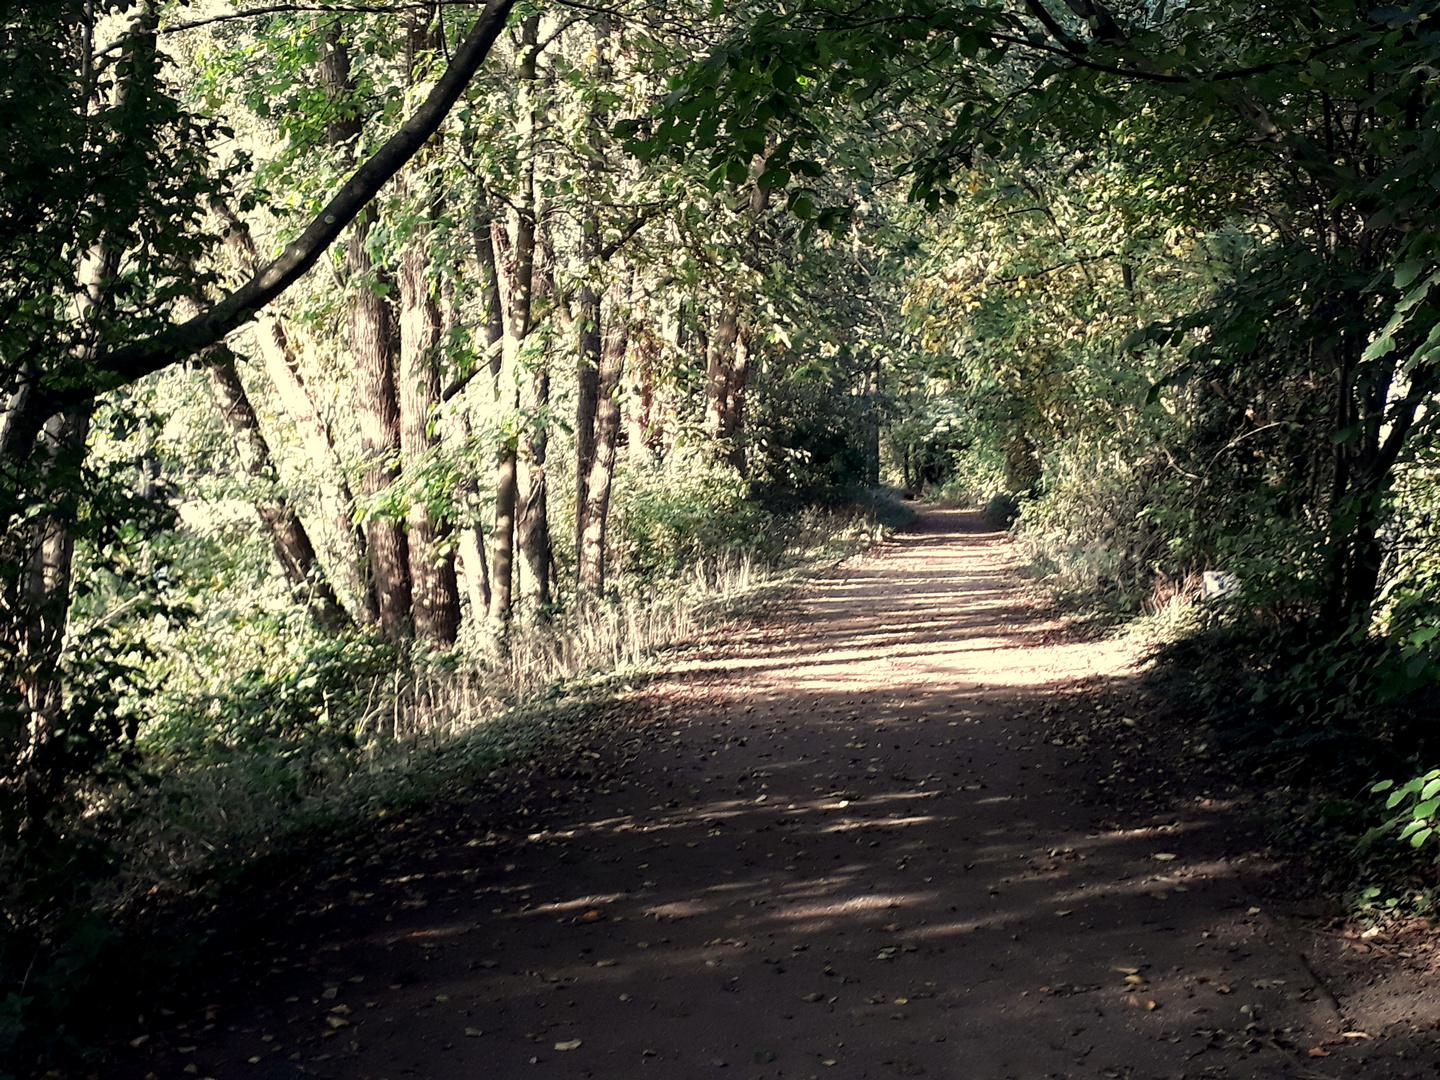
[1315, 112]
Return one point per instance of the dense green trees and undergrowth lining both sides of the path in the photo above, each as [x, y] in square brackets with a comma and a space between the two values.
[346, 355]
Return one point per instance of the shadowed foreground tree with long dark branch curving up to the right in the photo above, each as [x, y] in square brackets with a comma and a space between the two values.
[104, 184]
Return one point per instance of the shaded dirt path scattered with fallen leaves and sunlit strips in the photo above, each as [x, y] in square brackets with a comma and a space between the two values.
[911, 824]
